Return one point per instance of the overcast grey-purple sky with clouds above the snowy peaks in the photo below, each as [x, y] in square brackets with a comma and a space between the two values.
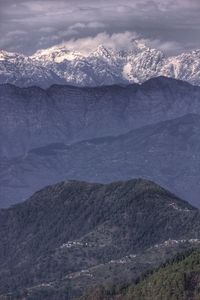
[29, 25]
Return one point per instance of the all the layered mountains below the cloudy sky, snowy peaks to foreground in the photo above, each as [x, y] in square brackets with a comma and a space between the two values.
[83, 139]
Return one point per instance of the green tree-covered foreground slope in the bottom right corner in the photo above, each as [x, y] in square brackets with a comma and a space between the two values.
[181, 277]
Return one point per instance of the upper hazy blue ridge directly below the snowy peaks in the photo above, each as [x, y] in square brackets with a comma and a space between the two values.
[32, 117]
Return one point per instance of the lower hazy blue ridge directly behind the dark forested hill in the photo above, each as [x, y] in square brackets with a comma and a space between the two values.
[166, 152]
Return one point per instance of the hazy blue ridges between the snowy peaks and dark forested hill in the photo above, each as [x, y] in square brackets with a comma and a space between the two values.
[100, 134]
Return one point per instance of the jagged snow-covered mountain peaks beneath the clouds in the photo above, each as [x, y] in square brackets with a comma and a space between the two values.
[103, 66]
